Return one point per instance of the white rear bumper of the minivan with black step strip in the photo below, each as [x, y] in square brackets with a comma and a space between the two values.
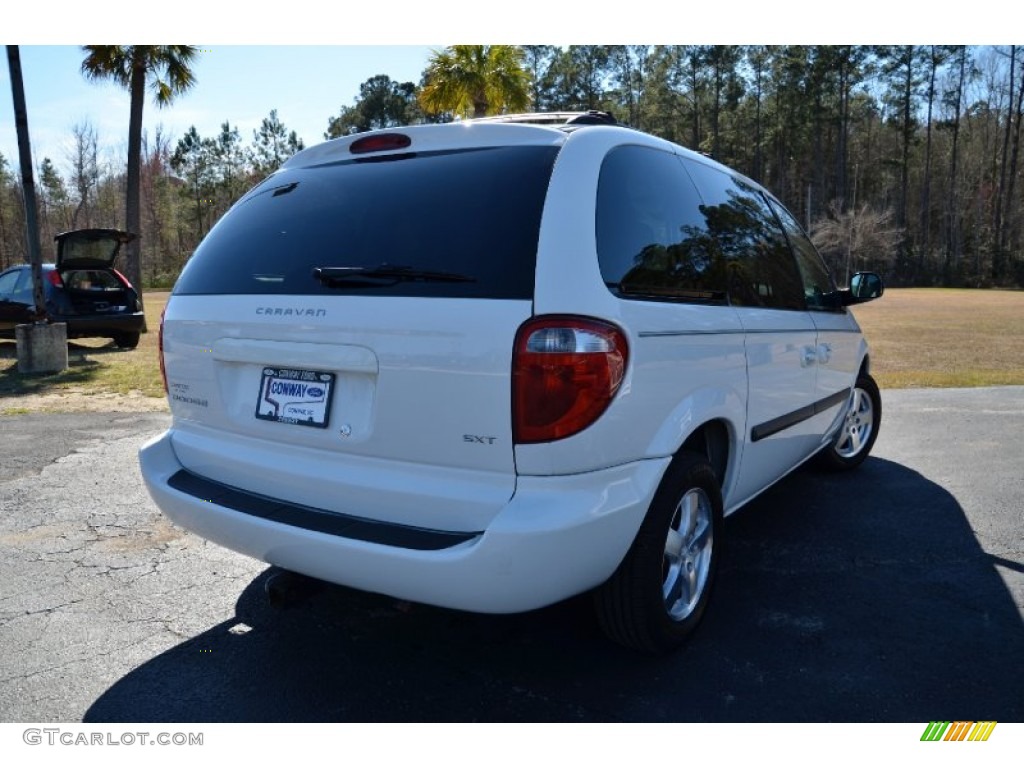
[558, 537]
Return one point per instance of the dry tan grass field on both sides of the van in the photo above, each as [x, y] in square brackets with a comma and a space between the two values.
[919, 338]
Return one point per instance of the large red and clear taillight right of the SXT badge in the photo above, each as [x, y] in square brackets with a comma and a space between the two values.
[566, 372]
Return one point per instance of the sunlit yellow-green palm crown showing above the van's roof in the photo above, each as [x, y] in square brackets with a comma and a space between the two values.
[479, 79]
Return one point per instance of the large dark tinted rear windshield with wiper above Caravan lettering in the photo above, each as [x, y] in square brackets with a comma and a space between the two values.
[472, 216]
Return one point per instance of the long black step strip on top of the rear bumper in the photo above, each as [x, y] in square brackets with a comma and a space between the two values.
[311, 519]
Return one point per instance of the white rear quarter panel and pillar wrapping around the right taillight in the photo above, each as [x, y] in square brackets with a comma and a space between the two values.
[687, 361]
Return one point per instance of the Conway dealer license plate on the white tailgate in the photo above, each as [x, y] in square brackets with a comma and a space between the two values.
[295, 397]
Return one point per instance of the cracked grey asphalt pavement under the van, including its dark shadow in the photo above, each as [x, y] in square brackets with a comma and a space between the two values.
[892, 594]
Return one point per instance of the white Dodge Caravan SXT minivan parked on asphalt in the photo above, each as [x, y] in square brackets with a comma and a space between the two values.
[493, 365]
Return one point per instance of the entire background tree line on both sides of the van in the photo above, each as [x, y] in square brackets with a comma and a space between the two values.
[900, 159]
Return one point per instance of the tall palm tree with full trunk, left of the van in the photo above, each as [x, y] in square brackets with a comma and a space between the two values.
[167, 69]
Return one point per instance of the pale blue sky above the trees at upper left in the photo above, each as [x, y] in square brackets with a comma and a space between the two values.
[236, 83]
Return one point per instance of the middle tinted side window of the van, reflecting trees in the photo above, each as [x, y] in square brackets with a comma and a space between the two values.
[760, 269]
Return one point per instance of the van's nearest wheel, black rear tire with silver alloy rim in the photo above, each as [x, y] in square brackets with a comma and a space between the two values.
[633, 607]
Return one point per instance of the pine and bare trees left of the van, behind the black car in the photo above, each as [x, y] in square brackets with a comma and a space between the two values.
[186, 186]
